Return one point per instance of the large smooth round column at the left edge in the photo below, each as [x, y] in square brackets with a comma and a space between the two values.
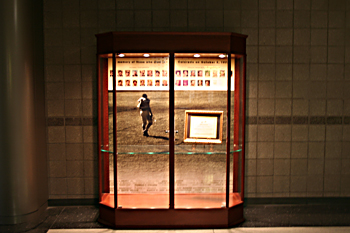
[23, 157]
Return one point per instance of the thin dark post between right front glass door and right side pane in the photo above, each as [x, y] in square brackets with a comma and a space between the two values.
[228, 128]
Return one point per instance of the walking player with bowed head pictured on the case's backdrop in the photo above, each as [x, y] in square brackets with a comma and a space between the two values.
[145, 113]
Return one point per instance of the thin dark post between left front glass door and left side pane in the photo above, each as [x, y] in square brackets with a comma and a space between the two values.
[115, 133]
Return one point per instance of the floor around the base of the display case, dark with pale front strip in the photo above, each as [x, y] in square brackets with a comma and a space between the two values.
[259, 218]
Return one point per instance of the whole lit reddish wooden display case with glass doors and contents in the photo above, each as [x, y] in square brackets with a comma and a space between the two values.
[171, 118]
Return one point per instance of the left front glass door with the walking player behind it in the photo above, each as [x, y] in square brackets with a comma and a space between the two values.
[142, 123]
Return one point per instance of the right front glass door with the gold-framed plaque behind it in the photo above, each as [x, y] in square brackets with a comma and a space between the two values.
[200, 130]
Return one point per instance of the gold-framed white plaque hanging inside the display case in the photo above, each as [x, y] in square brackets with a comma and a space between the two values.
[203, 126]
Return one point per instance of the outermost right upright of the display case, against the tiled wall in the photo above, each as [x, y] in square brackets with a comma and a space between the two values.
[243, 123]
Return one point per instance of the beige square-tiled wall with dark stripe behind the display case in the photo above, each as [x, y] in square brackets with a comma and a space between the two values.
[298, 86]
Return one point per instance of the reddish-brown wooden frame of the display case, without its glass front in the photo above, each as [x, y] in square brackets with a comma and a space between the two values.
[232, 44]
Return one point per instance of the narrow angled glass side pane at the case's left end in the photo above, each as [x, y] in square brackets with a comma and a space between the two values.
[105, 137]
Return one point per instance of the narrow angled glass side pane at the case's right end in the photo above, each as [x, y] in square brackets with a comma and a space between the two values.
[236, 131]
